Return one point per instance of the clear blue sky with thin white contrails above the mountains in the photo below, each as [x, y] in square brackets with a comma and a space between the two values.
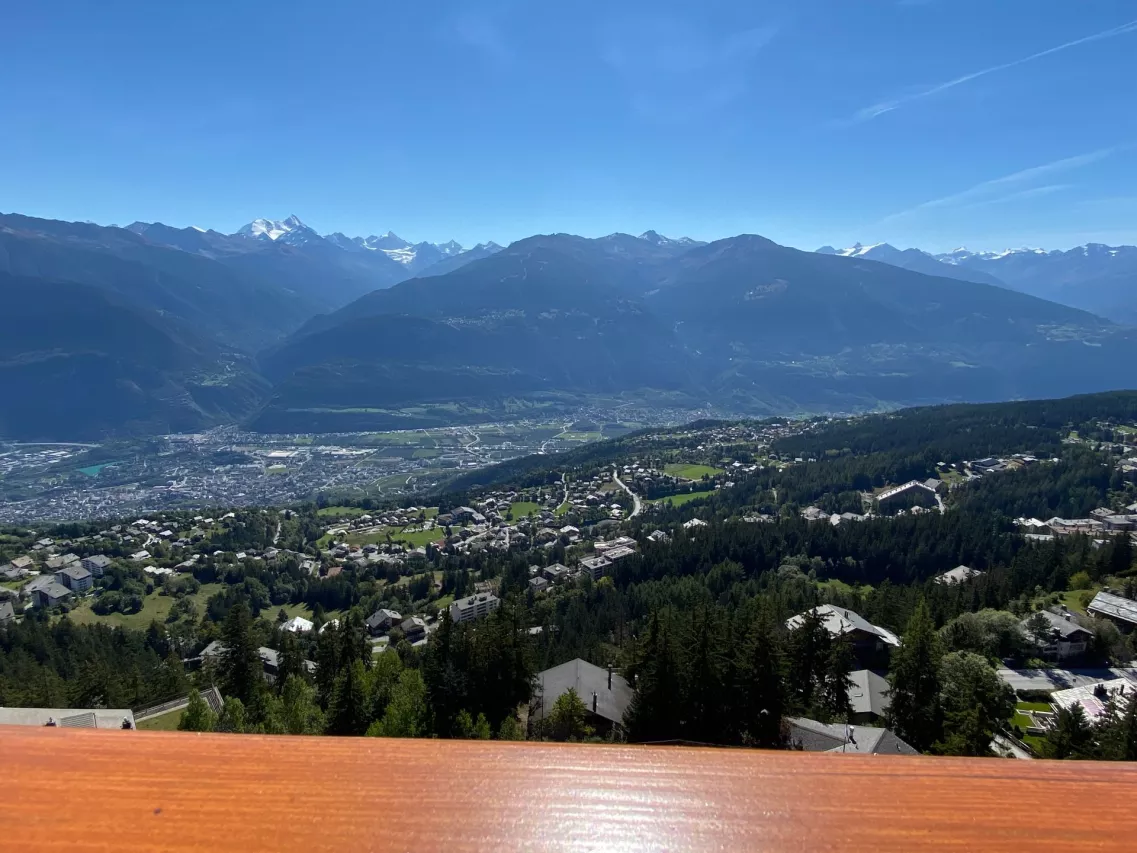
[931, 123]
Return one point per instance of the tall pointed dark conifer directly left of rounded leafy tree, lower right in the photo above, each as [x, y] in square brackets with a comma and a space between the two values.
[916, 713]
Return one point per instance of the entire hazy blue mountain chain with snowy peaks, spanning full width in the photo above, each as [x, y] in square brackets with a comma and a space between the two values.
[151, 329]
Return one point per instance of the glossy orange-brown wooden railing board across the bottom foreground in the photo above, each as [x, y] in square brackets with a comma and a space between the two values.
[110, 791]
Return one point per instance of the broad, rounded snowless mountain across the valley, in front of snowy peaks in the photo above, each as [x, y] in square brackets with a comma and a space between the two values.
[743, 322]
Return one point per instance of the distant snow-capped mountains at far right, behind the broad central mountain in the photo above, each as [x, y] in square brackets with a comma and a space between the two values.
[1095, 278]
